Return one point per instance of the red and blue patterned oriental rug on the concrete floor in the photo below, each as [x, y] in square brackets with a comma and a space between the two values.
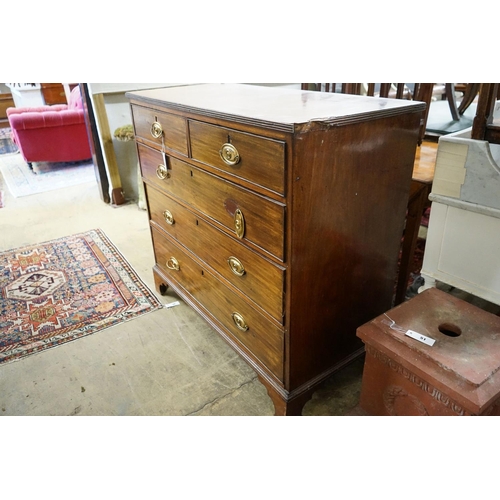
[59, 291]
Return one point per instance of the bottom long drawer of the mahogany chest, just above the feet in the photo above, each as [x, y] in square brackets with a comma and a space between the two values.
[259, 335]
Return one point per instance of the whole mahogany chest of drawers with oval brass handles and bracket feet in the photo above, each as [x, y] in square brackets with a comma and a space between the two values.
[277, 214]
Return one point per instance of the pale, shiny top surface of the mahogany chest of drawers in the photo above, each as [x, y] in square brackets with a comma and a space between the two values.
[274, 107]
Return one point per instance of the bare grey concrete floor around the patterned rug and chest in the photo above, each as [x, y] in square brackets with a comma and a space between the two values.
[168, 362]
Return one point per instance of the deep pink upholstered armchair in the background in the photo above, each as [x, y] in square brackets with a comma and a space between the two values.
[51, 133]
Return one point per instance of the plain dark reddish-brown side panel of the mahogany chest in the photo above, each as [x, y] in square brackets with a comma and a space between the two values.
[350, 190]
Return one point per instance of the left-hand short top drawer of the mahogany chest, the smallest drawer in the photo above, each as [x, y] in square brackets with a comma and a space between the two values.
[159, 128]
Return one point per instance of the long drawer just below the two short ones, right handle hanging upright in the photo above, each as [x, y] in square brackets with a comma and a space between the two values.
[247, 215]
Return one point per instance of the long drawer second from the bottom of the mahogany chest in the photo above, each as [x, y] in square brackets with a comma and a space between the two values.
[259, 279]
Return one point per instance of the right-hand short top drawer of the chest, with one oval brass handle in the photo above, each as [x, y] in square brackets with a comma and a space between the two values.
[251, 157]
